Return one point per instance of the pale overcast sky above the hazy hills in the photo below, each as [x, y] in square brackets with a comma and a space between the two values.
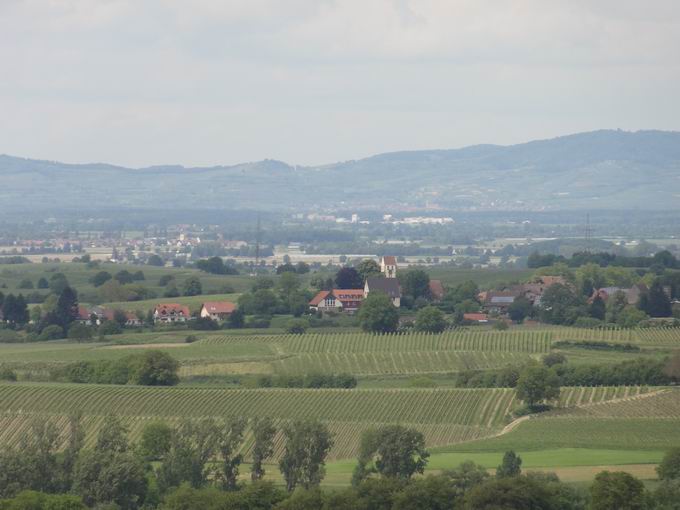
[209, 82]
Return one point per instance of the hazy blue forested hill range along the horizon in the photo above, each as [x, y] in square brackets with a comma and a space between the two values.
[597, 170]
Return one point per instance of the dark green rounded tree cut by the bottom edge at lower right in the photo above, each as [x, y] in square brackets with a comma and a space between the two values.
[618, 490]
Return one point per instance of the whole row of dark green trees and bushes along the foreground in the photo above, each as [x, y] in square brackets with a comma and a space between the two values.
[197, 465]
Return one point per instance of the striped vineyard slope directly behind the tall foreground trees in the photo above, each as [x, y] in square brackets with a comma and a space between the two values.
[445, 416]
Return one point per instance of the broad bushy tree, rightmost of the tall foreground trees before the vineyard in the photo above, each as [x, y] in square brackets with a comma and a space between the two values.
[394, 451]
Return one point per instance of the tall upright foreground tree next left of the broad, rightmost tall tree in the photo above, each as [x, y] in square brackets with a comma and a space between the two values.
[304, 456]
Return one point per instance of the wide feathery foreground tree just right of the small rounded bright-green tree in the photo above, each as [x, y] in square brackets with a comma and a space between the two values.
[192, 446]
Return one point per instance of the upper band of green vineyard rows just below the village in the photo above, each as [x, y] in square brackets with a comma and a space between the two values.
[357, 353]
